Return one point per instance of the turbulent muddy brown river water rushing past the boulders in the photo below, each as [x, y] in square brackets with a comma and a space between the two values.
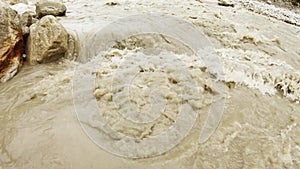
[259, 128]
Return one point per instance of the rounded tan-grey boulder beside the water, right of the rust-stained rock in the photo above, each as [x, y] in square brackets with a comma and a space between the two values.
[47, 41]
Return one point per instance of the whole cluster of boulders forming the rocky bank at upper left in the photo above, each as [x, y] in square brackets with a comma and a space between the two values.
[34, 37]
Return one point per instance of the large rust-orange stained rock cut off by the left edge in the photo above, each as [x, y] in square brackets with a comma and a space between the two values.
[11, 43]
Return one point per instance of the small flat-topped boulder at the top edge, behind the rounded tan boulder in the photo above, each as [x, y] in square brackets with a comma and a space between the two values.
[55, 8]
